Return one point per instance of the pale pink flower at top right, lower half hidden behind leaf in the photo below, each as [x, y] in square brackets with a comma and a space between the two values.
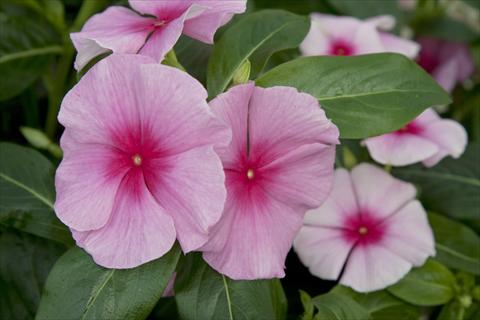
[345, 36]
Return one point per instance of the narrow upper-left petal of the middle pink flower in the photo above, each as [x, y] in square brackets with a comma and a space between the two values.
[232, 108]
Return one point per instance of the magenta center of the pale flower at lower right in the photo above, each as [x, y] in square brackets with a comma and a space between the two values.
[363, 228]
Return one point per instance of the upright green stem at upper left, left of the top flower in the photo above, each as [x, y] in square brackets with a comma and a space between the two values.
[61, 79]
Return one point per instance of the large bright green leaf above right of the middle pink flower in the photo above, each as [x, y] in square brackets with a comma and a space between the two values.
[363, 95]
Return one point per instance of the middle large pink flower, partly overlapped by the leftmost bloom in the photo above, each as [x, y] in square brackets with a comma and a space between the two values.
[279, 164]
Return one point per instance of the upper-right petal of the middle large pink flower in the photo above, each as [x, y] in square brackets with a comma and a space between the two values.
[298, 120]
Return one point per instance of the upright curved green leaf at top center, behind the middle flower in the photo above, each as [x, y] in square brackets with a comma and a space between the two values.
[255, 37]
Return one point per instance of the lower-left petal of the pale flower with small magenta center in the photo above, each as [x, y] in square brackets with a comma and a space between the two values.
[322, 250]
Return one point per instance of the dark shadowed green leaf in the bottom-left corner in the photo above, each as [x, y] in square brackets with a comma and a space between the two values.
[25, 262]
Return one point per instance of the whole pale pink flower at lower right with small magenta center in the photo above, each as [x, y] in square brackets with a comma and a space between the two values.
[371, 227]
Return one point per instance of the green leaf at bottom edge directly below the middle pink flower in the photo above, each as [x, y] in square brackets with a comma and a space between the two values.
[202, 293]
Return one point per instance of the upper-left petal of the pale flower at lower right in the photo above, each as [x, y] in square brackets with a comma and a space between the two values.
[340, 203]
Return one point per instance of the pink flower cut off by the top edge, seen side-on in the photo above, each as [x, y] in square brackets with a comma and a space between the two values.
[156, 31]
